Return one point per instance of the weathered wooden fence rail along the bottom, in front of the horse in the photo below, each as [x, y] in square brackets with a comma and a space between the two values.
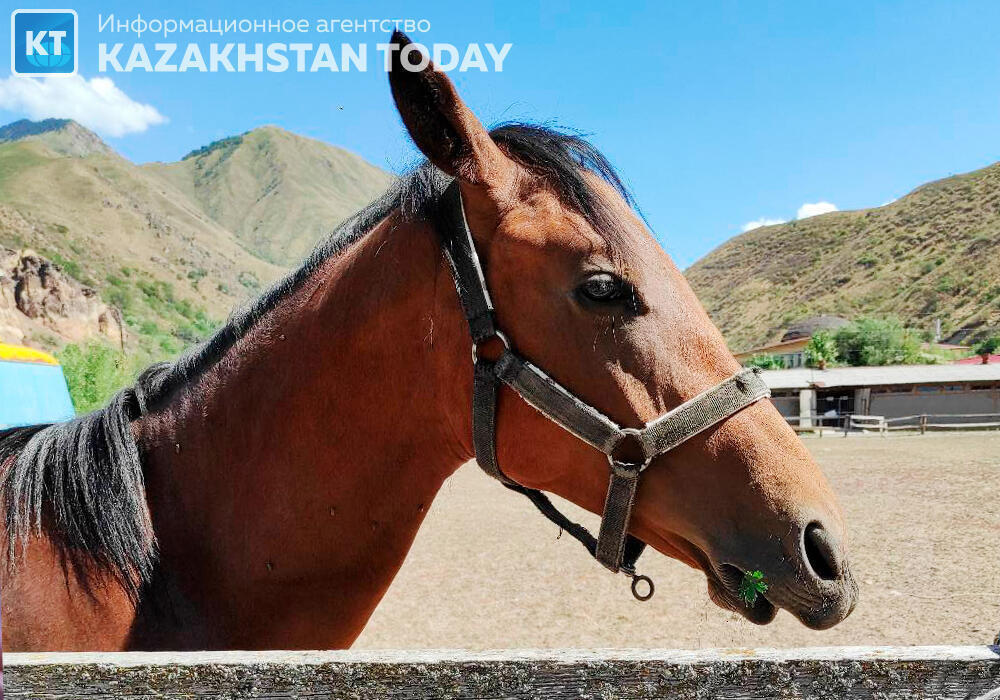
[834, 672]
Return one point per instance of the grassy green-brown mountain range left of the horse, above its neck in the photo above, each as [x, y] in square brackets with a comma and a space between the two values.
[140, 238]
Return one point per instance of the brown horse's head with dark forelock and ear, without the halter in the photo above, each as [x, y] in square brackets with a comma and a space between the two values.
[583, 289]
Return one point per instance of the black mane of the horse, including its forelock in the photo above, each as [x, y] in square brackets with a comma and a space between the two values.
[81, 483]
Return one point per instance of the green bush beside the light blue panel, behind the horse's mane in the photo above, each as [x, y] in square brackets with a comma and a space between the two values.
[94, 372]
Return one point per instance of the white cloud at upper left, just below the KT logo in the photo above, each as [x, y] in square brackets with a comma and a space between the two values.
[96, 103]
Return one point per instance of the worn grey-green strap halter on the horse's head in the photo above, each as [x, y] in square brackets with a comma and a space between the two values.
[613, 547]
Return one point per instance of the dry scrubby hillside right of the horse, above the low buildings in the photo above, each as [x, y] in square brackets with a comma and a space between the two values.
[933, 254]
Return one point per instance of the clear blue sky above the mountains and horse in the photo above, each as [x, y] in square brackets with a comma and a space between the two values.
[717, 114]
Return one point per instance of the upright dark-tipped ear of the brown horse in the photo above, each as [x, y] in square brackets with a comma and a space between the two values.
[443, 128]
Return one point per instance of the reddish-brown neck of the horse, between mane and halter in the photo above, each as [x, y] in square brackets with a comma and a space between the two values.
[308, 457]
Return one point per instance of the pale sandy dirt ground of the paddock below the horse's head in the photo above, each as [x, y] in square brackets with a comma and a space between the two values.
[924, 516]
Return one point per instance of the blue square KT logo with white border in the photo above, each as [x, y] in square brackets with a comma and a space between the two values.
[43, 42]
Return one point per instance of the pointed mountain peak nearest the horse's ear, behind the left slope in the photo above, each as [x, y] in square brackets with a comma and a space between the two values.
[277, 191]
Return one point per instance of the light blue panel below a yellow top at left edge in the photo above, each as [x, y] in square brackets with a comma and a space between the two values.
[33, 393]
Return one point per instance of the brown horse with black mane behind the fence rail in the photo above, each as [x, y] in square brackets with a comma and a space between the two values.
[263, 491]
